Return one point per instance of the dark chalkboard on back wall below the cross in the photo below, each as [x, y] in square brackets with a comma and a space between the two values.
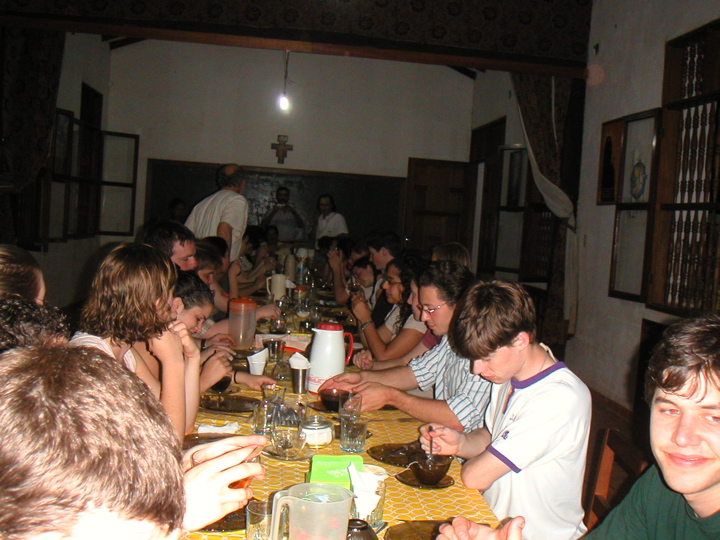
[367, 202]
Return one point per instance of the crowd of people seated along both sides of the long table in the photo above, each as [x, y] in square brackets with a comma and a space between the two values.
[91, 418]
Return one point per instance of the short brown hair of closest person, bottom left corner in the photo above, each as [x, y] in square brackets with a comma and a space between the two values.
[80, 432]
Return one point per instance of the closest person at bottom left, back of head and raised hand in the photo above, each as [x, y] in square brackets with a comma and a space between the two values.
[87, 452]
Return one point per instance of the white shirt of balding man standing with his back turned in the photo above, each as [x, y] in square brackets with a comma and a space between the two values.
[222, 206]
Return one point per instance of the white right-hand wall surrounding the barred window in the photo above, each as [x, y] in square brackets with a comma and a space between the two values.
[631, 35]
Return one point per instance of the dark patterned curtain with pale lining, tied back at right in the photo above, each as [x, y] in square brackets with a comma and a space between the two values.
[535, 98]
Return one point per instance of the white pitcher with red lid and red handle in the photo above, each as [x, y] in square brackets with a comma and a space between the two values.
[327, 354]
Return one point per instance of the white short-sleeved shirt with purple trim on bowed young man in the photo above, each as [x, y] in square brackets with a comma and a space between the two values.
[539, 428]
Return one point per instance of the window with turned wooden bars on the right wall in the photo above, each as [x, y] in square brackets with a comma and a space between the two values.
[685, 273]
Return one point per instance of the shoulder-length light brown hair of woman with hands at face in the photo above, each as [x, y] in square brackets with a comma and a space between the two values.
[129, 298]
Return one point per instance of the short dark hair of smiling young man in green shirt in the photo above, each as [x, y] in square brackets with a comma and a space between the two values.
[688, 351]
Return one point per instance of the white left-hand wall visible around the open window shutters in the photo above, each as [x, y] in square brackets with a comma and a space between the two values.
[85, 60]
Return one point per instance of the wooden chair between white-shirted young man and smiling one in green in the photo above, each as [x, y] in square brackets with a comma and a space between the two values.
[615, 450]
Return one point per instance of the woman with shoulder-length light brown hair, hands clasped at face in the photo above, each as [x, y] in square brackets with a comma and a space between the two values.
[129, 303]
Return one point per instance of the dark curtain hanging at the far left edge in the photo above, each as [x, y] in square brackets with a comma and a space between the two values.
[31, 64]
